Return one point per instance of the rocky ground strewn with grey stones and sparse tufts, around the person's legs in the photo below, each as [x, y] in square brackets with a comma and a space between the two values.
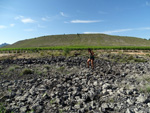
[118, 84]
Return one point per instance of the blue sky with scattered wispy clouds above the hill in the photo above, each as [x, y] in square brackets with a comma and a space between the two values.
[25, 19]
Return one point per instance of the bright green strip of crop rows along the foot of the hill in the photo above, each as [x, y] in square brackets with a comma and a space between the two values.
[67, 49]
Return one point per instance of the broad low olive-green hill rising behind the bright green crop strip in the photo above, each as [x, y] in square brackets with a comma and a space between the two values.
[80, 40]
